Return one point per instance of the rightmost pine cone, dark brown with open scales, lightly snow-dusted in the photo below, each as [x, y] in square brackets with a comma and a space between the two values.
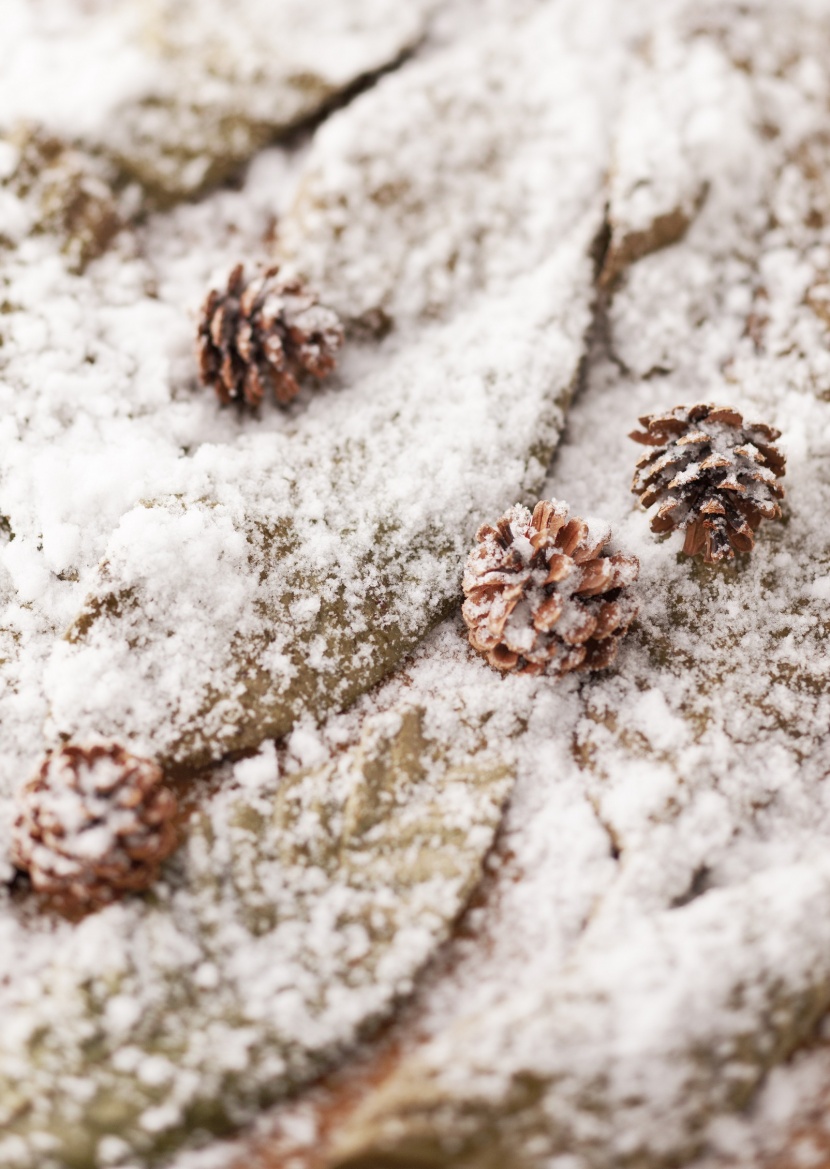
[713, 474]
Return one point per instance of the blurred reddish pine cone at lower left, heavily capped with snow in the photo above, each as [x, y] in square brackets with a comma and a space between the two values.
[95, 822]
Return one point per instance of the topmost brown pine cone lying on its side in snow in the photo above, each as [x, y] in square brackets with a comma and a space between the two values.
[265, 333]
